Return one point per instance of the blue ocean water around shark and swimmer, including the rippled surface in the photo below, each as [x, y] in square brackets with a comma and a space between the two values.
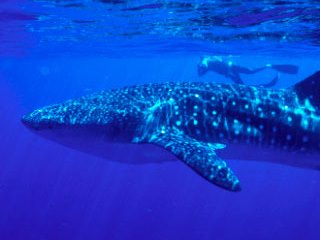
[53, 50]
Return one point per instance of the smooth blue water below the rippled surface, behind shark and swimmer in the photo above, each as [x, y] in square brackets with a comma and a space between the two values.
[48, 191]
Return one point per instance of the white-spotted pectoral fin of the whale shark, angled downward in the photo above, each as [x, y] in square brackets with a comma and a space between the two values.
[200, 156]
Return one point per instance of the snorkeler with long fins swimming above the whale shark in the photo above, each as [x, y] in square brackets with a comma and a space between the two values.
[232, 71]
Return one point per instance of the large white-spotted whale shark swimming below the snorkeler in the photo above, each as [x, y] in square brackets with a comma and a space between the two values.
[201, 124]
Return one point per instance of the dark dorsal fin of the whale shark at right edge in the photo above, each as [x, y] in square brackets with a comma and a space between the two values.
[309, 89]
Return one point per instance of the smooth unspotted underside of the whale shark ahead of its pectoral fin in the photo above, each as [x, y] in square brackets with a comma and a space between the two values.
[94, 143]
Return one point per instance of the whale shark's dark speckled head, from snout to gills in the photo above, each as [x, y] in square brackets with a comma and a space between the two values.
[112, 115]
